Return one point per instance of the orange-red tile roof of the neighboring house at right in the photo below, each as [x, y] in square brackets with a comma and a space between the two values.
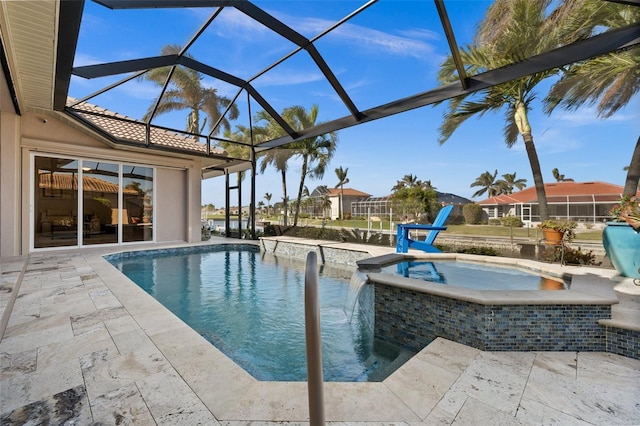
[560, 191]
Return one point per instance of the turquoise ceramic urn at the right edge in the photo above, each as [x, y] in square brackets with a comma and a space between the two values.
[622, 244]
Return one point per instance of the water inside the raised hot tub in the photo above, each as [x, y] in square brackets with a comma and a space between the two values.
[475, 276]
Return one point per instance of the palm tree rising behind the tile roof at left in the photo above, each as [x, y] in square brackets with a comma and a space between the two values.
[187, 92]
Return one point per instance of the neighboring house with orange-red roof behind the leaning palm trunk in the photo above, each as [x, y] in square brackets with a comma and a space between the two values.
[587, 202]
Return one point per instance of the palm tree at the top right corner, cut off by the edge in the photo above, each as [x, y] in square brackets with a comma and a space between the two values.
[609, 81]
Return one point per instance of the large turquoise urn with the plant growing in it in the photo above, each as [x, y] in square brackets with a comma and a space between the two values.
[621, 237]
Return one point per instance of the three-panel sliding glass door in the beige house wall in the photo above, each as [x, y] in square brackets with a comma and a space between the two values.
[83, 202]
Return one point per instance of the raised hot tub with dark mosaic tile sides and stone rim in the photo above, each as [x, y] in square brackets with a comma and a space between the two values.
[414, 312]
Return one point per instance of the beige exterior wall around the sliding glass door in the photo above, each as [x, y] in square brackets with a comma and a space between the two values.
[177, 180]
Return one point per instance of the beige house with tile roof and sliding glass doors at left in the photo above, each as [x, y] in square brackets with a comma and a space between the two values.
[99, 178]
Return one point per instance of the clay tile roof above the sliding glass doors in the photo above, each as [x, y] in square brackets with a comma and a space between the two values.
[131, 130]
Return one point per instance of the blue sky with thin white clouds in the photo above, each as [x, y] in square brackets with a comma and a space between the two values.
[391, 50]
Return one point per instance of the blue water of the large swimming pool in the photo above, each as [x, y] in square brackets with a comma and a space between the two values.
[250, 305]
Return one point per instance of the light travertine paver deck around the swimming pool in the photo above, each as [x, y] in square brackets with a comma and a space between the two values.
[84, 344]
